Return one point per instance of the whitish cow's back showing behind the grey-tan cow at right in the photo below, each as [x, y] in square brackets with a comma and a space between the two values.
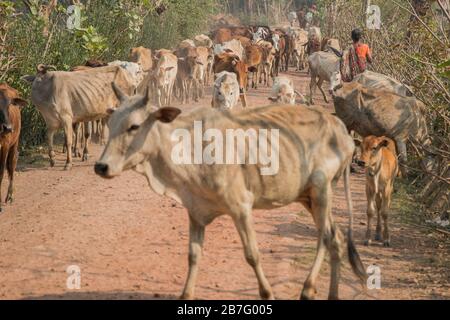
[380, 81]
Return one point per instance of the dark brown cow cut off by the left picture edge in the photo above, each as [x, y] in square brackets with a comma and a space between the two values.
[10, 122]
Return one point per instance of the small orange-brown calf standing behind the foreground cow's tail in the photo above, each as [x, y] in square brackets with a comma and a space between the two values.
[379, 158]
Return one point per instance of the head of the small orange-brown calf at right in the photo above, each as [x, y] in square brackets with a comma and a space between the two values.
[370, 157]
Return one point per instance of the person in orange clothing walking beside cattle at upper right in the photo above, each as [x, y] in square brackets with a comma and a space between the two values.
[359, 55]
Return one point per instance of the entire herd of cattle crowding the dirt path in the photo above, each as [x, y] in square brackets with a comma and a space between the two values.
[315, 147]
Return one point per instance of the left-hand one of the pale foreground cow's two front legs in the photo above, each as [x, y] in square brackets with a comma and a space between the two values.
[196, 238]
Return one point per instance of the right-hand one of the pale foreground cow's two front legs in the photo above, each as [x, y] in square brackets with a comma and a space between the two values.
[243, 223]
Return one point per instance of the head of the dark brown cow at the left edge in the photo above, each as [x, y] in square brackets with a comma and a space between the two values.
[8, 97]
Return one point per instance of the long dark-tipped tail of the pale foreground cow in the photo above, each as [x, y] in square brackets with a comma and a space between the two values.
[353, 256]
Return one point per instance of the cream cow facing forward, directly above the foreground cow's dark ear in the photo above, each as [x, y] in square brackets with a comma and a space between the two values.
[165, 76]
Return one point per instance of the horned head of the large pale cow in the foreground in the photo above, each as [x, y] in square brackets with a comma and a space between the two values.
[132, 133]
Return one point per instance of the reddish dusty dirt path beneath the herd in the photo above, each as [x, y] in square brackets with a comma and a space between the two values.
[132, 244]
